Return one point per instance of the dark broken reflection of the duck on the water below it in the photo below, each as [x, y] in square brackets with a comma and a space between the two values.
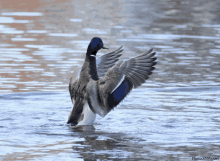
[98, 144]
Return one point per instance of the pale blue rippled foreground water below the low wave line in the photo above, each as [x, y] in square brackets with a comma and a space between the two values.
[179, 122]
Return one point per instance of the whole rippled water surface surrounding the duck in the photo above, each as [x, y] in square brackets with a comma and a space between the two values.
[173, 116]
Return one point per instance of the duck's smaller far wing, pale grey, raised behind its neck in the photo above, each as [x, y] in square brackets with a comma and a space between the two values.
[105, 62]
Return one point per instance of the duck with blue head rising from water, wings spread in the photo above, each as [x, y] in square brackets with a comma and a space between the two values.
[104, 83]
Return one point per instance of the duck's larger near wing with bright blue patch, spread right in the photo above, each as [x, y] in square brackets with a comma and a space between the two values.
[119, 81]
